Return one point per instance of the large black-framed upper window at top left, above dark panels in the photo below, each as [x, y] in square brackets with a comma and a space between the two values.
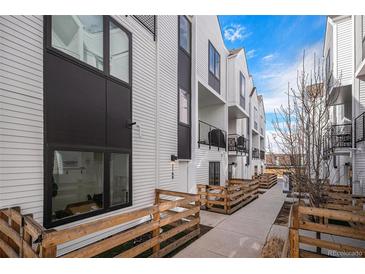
[83, 38]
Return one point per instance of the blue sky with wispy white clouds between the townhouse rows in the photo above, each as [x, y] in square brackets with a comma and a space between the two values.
[274, 46]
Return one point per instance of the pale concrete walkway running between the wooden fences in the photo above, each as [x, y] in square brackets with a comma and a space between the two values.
[241, 234]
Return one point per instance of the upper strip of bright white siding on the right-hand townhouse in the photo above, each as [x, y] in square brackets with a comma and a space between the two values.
[344, 50]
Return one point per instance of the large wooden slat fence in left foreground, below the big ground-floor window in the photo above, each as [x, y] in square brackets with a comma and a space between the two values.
[167, 225]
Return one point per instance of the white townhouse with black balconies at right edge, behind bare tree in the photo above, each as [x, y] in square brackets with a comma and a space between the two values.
[344, 54]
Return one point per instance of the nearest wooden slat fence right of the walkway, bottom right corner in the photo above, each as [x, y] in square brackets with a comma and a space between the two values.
[323, 222]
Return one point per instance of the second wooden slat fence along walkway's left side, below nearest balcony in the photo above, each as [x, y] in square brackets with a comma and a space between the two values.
[227, 199]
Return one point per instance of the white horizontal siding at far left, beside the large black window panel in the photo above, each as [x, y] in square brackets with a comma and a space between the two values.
[21, 113]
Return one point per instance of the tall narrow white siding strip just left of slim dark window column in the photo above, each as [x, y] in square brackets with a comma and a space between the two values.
[168, 92]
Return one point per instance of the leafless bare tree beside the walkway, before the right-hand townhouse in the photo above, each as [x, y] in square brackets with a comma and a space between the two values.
[302, 124]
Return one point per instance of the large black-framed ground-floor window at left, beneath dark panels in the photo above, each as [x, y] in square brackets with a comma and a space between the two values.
[86, 183]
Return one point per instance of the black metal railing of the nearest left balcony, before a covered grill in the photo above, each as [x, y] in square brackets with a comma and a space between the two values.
[212, 136]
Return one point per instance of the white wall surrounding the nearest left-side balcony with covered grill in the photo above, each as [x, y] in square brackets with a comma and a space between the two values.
[205, 29]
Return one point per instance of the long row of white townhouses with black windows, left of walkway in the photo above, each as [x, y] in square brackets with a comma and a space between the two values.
[99, 111]
